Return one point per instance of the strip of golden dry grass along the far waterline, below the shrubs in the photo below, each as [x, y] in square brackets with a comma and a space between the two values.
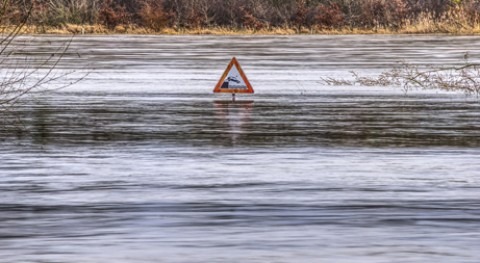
[423, 24]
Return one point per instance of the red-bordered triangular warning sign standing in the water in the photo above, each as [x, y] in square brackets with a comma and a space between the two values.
[233, 80]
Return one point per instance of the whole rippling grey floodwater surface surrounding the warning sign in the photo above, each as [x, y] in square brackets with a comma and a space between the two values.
[140, 162]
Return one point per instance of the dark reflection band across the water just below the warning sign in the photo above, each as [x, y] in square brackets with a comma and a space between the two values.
[341, 120]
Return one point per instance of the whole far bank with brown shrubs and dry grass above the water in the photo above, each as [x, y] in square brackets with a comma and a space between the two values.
[243, 16]
